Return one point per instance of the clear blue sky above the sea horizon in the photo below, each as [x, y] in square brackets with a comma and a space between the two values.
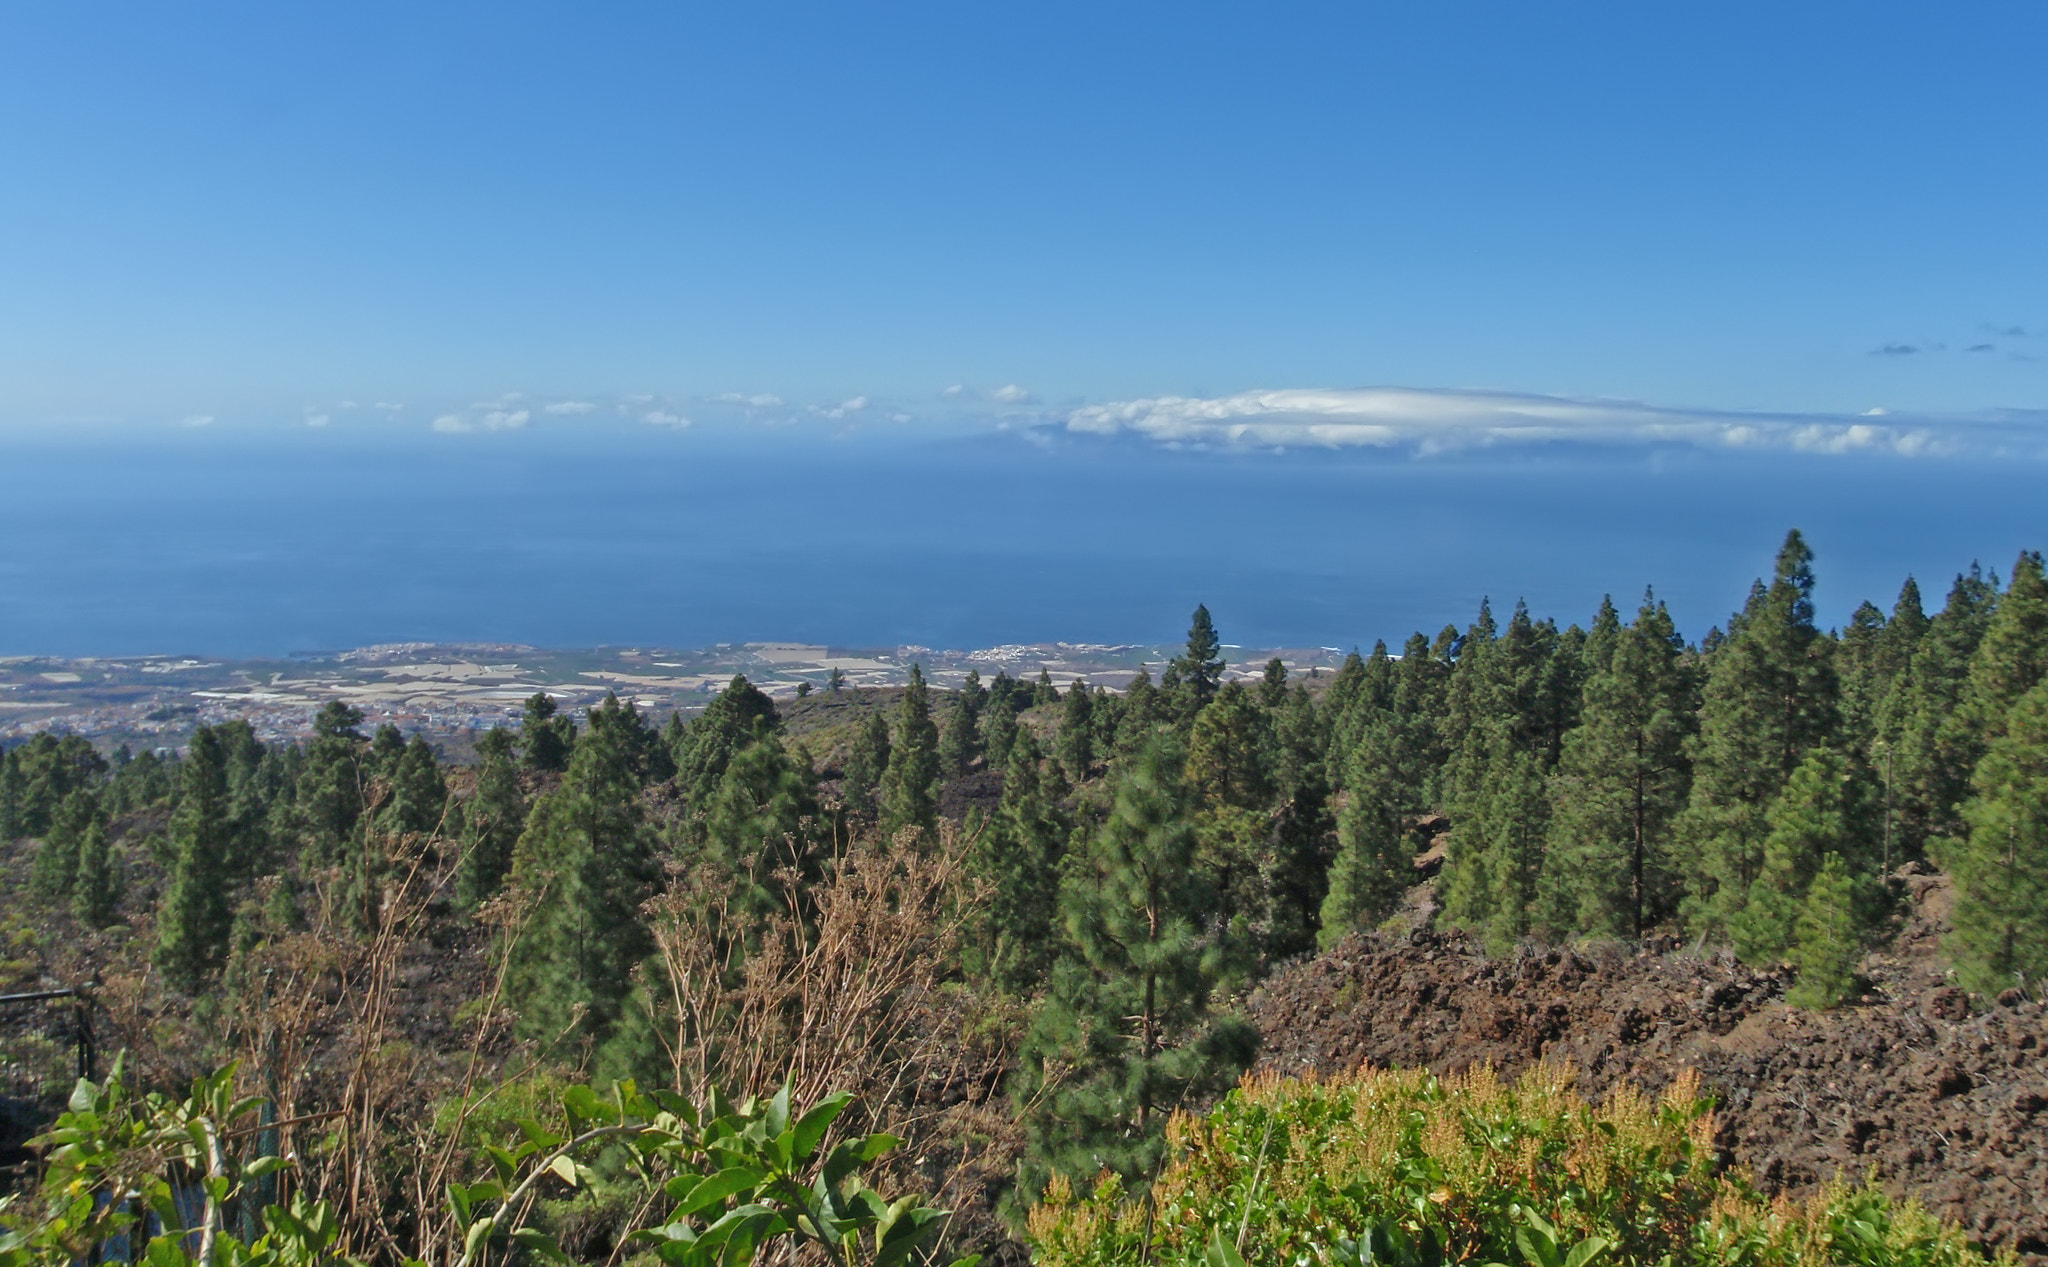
[267, 214]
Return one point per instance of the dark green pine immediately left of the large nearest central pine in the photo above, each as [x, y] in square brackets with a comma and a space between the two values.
[1019, 855]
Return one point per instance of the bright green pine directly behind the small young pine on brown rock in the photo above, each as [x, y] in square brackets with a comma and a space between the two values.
[1828, 810]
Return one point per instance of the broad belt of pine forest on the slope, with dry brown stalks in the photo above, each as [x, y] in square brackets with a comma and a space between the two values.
[1017, 922]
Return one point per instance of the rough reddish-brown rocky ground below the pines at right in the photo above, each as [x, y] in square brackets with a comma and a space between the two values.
[1910, 1086]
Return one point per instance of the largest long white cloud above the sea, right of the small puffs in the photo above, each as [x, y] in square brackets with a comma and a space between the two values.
[1447, 421]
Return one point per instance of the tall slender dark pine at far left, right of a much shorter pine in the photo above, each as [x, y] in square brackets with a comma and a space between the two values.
[198, 914]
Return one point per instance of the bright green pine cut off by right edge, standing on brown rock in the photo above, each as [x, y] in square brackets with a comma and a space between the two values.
[2002, 865]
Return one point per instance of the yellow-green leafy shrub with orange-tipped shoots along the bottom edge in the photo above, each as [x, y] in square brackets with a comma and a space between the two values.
[1406, 1168]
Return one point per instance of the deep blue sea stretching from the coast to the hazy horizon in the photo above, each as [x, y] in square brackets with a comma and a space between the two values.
[255, 543]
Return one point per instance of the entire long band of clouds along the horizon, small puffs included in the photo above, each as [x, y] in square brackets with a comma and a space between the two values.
[1416, 423]
